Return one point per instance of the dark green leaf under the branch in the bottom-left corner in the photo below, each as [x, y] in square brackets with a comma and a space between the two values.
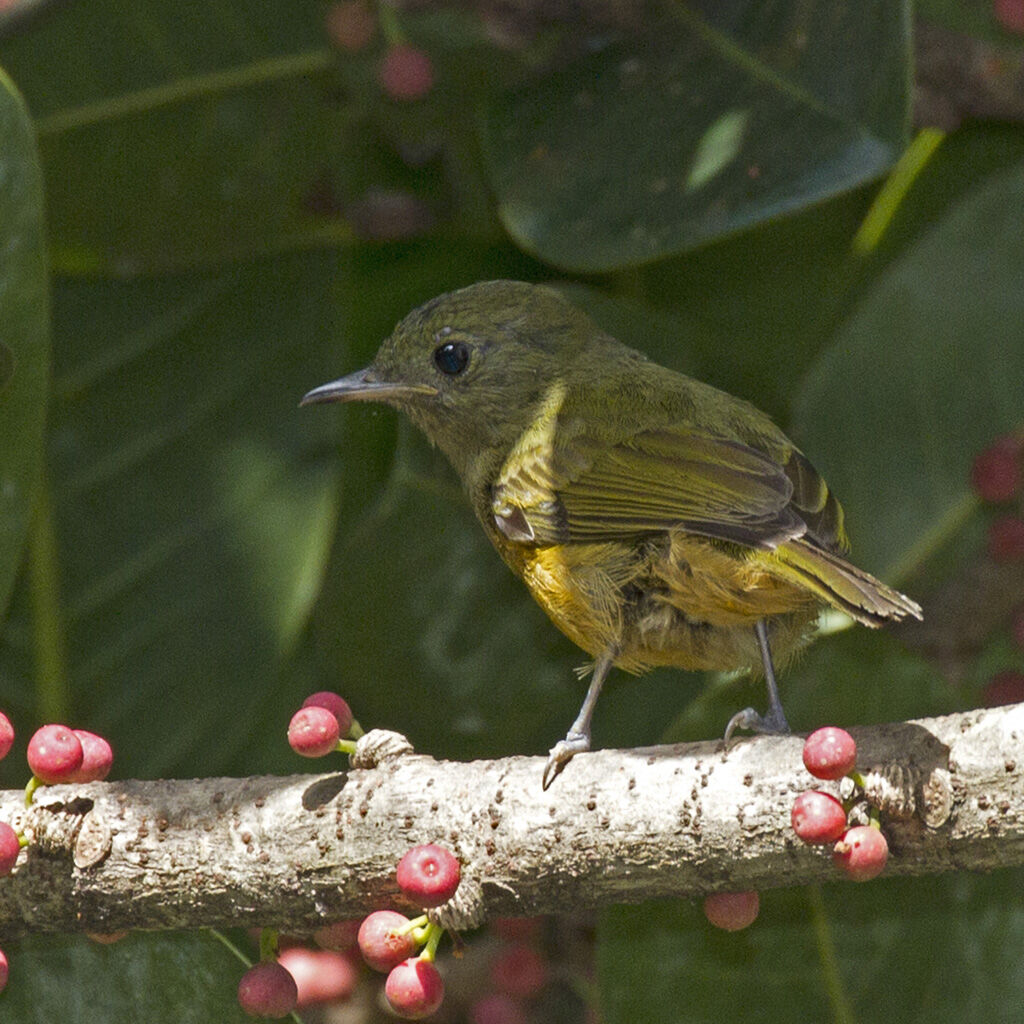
[156, 979]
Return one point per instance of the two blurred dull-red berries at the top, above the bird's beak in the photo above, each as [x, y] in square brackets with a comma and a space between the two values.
[405, 72]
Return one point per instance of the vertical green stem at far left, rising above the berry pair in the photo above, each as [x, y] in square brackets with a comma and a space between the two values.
[48, 625]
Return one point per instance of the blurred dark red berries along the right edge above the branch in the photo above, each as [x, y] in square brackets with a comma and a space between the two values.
[998, 479]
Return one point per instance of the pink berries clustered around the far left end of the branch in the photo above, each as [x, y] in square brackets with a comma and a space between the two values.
[56, 754]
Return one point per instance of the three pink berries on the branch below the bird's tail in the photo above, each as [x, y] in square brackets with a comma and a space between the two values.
[861, 852]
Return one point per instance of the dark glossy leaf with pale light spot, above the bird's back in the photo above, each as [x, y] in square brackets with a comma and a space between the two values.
[708, 122]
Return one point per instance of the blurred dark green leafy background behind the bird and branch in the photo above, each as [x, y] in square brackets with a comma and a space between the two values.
[236, 212]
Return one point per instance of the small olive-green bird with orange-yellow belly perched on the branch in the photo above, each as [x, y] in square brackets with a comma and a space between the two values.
[657, 521]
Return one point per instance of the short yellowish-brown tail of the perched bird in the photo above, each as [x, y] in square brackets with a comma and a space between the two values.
[840, 584]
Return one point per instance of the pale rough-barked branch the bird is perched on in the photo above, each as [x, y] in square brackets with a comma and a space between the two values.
[617, 827]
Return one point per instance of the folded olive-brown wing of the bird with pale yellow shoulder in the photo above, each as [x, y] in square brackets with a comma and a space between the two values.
[671, 479]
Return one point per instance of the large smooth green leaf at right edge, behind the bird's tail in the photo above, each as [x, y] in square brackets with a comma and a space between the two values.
[925, 373]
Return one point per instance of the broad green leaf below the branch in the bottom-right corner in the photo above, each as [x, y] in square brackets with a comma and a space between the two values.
[937, 951]
